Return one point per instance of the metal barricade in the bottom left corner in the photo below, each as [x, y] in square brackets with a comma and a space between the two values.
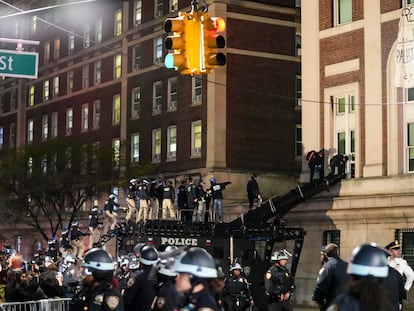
[61, 304]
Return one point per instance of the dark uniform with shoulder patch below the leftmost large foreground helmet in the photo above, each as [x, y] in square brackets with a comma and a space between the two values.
[103, 298]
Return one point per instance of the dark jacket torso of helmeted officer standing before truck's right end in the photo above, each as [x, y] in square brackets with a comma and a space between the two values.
[278, 281]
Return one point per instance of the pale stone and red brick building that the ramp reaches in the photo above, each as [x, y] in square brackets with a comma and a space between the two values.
[352, 106]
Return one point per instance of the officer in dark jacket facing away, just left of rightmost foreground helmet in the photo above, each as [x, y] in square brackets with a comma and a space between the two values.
[332, 277]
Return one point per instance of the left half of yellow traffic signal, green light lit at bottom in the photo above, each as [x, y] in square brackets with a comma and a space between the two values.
[184, 43]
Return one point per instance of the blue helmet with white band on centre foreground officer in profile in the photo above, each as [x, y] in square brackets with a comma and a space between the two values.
[197, 262]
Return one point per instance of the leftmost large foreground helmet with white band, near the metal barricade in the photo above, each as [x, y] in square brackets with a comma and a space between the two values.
[98, 262]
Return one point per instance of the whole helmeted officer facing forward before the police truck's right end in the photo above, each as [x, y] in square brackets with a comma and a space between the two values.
[279, 283]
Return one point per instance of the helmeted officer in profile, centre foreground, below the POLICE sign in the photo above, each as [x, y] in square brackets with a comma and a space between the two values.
[194, 268]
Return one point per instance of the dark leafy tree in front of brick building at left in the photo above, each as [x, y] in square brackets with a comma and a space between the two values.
[45, 186]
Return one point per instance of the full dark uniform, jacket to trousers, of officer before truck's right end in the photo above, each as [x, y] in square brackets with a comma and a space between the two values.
[279, 281]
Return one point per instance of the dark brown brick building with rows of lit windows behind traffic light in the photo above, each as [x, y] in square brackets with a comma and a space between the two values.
[102, 80]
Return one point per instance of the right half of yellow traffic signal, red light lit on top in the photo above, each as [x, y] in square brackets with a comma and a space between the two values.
[213, 40]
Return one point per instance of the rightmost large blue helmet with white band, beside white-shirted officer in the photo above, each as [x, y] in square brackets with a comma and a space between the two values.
[368, 260]
